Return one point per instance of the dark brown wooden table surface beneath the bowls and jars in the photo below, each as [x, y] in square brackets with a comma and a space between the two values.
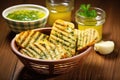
[95, 66]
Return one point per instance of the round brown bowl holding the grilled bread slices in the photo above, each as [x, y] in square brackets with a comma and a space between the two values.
[53, 66]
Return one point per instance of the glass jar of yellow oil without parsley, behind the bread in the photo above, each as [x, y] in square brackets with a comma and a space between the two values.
[59, 9]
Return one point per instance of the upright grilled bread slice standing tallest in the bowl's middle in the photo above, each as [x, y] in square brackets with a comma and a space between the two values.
[63, 34]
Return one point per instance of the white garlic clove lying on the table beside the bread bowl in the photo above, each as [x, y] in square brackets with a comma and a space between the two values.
[104, 47]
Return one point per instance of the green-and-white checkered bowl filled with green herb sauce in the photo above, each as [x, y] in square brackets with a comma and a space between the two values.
[25, 17]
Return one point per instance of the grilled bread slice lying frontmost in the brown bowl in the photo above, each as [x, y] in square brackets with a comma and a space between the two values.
[44, 50]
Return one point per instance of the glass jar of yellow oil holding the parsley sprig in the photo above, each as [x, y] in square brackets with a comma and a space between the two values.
[87, 22]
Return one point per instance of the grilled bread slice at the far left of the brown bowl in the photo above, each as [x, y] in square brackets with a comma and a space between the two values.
[23, 39]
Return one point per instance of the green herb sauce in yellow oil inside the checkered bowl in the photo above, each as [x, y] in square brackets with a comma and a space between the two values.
[26, 15]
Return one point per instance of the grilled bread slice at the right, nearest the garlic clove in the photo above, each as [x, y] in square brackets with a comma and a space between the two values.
[86, 38]
